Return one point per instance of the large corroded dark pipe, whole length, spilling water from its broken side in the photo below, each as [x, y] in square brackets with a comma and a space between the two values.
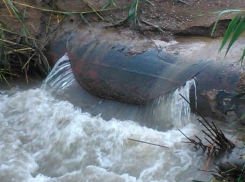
[134, 71]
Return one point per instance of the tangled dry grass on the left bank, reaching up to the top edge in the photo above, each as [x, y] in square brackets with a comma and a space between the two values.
[19, 50]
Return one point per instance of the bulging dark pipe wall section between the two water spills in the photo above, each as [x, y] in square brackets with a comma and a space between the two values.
[112, 70]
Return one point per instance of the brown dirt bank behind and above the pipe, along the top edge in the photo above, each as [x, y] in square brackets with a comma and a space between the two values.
[189, 17]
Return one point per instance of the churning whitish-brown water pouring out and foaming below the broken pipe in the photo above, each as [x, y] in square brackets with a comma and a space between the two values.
[44, 139]
